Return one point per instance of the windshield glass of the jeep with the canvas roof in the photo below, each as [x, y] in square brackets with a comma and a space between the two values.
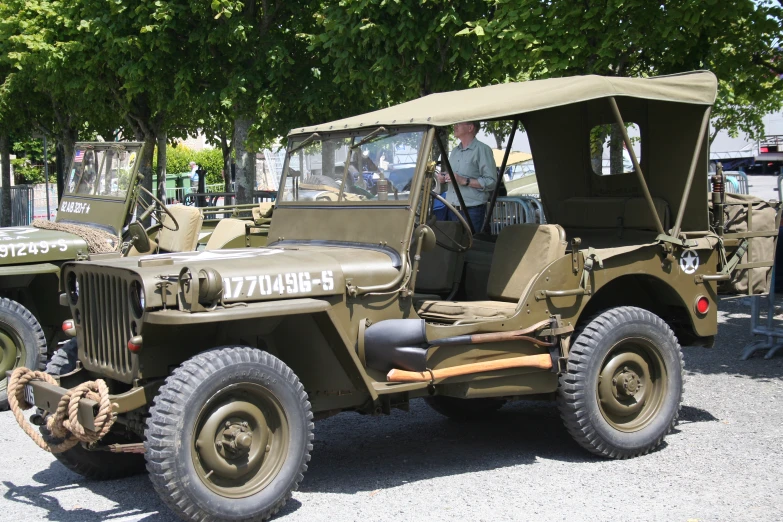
[316, 167]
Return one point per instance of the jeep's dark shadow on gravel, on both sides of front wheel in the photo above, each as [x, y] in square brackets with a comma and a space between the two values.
[352, 453]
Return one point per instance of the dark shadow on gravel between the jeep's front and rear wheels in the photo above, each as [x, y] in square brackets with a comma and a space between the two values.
[373, 453]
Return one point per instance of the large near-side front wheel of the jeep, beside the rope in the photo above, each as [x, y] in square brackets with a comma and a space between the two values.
[229, 436]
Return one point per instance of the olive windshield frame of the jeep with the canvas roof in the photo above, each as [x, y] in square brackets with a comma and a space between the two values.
[354, 134]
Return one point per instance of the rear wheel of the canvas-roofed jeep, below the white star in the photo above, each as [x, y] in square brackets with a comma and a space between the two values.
[622, 390]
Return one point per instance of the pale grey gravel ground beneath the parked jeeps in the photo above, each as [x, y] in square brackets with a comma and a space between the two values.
[720, 463]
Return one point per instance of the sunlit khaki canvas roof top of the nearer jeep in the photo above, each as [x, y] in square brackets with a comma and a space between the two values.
[509, 99]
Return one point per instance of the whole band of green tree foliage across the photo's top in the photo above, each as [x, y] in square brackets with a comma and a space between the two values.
[244, 72]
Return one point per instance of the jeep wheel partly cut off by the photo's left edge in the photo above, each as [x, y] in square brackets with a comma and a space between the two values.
[22, 343]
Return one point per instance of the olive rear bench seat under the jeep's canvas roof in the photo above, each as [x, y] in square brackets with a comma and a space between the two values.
[611, 221]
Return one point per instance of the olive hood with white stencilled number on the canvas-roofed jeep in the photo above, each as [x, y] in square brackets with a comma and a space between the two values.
[259, 274]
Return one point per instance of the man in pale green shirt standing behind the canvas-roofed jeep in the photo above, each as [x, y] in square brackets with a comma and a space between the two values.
[474, 170]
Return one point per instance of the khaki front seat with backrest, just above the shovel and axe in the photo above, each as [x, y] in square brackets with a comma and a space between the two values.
[521, 253]
